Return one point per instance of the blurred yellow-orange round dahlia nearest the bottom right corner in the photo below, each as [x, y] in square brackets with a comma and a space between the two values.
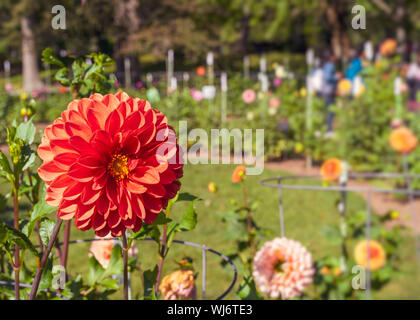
[377, 254]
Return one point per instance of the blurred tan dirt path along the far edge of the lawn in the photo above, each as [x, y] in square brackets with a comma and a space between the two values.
[381, 202]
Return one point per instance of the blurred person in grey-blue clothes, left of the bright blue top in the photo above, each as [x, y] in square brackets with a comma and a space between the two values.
[330, 78]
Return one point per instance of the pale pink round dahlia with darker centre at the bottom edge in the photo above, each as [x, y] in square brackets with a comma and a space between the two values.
[283, 267]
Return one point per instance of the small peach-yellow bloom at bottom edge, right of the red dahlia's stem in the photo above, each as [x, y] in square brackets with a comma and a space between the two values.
[179, 285]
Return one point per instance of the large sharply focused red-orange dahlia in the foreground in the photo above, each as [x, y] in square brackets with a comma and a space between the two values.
[111, 162]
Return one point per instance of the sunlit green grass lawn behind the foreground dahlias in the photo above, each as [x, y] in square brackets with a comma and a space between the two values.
[306, 212]
